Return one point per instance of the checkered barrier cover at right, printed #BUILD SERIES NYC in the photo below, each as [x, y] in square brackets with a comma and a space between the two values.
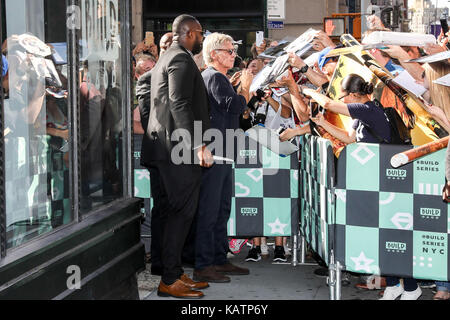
[386, 221]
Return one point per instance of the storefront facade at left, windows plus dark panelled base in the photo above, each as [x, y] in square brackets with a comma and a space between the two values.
[69, 226]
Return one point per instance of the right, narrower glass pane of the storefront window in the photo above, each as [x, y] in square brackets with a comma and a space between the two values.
[101, 95]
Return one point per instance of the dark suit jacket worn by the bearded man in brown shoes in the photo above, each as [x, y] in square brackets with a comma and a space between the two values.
[178, 98]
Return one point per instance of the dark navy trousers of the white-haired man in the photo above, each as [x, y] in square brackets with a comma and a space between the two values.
[214, 207]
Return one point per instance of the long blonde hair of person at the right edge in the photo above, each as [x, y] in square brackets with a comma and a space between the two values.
[439, 94]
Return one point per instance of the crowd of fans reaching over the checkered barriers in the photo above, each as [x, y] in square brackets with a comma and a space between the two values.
[292, 111]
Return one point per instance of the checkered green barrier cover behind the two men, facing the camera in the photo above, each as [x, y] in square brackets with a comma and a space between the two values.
[265, 193]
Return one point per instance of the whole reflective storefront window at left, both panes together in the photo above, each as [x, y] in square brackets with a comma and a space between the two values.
[47, 183]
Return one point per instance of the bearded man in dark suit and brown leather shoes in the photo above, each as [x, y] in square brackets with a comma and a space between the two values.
[178, 99]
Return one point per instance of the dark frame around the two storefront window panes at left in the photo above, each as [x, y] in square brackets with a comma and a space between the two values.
[73, 100]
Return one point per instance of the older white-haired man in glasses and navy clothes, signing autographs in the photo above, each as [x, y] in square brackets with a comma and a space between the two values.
[226, 105]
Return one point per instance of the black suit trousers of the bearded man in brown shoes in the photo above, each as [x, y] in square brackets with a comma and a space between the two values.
[180, 188]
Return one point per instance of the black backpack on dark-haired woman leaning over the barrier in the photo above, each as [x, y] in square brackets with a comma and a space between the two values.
[400, 134]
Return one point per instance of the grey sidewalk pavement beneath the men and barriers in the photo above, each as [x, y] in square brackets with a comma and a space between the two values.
[268, 281]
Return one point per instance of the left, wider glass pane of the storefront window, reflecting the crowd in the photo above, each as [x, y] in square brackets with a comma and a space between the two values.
[36, 123]
